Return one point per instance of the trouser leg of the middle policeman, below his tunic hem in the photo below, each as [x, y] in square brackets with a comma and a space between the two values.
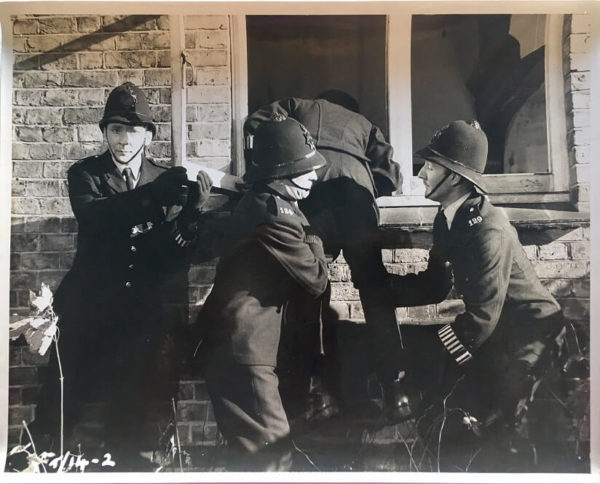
[250, 416]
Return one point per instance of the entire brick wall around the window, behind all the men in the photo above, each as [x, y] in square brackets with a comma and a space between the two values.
[64, 69]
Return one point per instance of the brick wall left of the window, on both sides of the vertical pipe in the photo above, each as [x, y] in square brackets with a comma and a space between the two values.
[63, 71]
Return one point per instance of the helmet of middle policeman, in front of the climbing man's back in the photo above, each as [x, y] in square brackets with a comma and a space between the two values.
[283, 148]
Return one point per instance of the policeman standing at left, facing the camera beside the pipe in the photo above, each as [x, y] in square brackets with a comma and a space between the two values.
[137, 222]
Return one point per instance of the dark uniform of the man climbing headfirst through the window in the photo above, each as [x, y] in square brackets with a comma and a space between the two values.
[342, 209]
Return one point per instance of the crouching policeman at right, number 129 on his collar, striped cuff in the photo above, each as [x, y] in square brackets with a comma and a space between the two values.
[489, 360]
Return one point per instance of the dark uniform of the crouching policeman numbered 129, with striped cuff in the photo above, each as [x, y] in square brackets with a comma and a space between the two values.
[503, 339]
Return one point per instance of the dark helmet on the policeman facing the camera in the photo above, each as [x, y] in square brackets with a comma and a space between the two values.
[127, 104]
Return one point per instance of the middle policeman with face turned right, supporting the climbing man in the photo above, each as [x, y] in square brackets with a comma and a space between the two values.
[270, 264]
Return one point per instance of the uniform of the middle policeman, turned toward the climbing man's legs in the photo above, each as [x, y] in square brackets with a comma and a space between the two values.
[269, 262]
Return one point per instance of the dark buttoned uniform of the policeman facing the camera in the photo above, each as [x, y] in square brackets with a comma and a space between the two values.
[117, 335]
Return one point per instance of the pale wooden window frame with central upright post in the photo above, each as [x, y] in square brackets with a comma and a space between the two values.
[551, 187]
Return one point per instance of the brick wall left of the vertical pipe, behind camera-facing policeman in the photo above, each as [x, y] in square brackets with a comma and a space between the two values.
[64, 69]
